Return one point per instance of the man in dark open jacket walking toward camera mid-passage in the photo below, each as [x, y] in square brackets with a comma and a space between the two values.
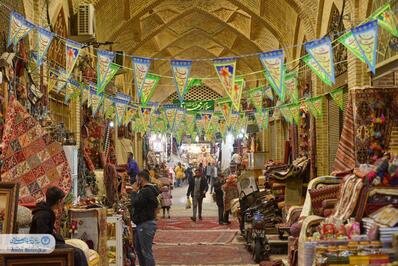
[197, 189]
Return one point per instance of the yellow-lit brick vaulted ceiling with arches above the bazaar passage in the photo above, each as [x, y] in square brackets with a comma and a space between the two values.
[189, 29]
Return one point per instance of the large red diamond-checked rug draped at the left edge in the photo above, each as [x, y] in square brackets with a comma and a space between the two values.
[31, 157]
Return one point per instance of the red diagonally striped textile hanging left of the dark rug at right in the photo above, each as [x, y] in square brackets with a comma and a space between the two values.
[345, 155]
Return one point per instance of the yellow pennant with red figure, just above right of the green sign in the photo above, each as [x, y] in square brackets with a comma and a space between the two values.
[225, 69]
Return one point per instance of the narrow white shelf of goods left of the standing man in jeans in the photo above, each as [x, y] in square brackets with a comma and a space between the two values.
[115, 240]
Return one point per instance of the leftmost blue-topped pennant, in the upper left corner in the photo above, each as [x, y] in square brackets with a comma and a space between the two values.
[18, 28]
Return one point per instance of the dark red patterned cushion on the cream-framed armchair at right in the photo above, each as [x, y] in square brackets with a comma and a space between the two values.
[318, 195]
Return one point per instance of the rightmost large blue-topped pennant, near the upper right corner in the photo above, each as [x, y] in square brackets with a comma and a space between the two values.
[365, 36]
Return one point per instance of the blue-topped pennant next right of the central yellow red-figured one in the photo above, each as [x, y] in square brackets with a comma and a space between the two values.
[274, 71]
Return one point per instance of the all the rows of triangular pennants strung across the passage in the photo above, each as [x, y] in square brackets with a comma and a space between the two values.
[361, 41]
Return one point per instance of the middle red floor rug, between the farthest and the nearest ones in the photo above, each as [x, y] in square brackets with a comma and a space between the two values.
[174, 237]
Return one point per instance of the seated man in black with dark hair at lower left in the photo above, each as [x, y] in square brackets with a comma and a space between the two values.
[43, 221]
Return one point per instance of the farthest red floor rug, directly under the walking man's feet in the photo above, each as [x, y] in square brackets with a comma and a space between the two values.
[185, 223]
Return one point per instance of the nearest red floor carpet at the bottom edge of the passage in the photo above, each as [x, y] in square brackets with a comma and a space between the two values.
[201, 254]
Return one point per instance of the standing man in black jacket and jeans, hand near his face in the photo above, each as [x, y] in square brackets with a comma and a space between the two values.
[144, 204]
